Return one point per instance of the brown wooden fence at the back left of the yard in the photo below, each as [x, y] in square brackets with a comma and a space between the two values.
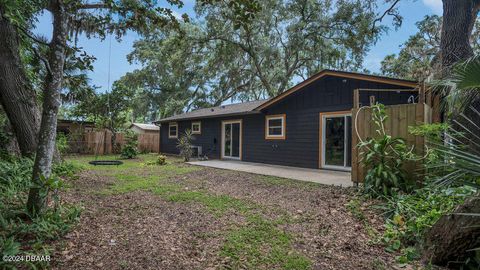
[100, 142]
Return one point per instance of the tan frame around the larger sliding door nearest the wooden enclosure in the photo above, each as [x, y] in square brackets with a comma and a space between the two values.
[323, 116]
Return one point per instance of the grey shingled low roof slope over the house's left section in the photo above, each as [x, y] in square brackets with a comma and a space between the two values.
[224, 110]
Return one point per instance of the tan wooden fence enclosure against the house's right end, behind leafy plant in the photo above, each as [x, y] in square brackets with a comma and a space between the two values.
[400, 117]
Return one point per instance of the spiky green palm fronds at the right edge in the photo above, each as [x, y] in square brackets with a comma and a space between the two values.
[460, 151]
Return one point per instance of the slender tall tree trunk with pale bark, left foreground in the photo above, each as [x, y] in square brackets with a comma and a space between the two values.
[47, 135]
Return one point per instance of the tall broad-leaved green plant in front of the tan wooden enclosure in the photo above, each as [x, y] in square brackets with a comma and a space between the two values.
[384, 157]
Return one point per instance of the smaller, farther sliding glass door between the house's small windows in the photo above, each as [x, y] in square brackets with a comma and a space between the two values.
[232, 139]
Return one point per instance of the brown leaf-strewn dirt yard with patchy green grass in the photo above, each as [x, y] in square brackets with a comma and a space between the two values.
[178, 216]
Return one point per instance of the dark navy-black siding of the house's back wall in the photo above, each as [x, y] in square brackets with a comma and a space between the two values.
[301, 146]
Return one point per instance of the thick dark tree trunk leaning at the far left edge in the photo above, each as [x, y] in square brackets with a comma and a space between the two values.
[16, 94]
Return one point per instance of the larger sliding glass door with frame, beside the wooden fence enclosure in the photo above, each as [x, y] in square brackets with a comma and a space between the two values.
[336, 141]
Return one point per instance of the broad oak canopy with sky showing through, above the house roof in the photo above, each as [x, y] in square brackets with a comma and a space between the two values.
[210, 60]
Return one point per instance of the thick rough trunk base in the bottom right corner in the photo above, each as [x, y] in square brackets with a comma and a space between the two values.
[453, 234]
